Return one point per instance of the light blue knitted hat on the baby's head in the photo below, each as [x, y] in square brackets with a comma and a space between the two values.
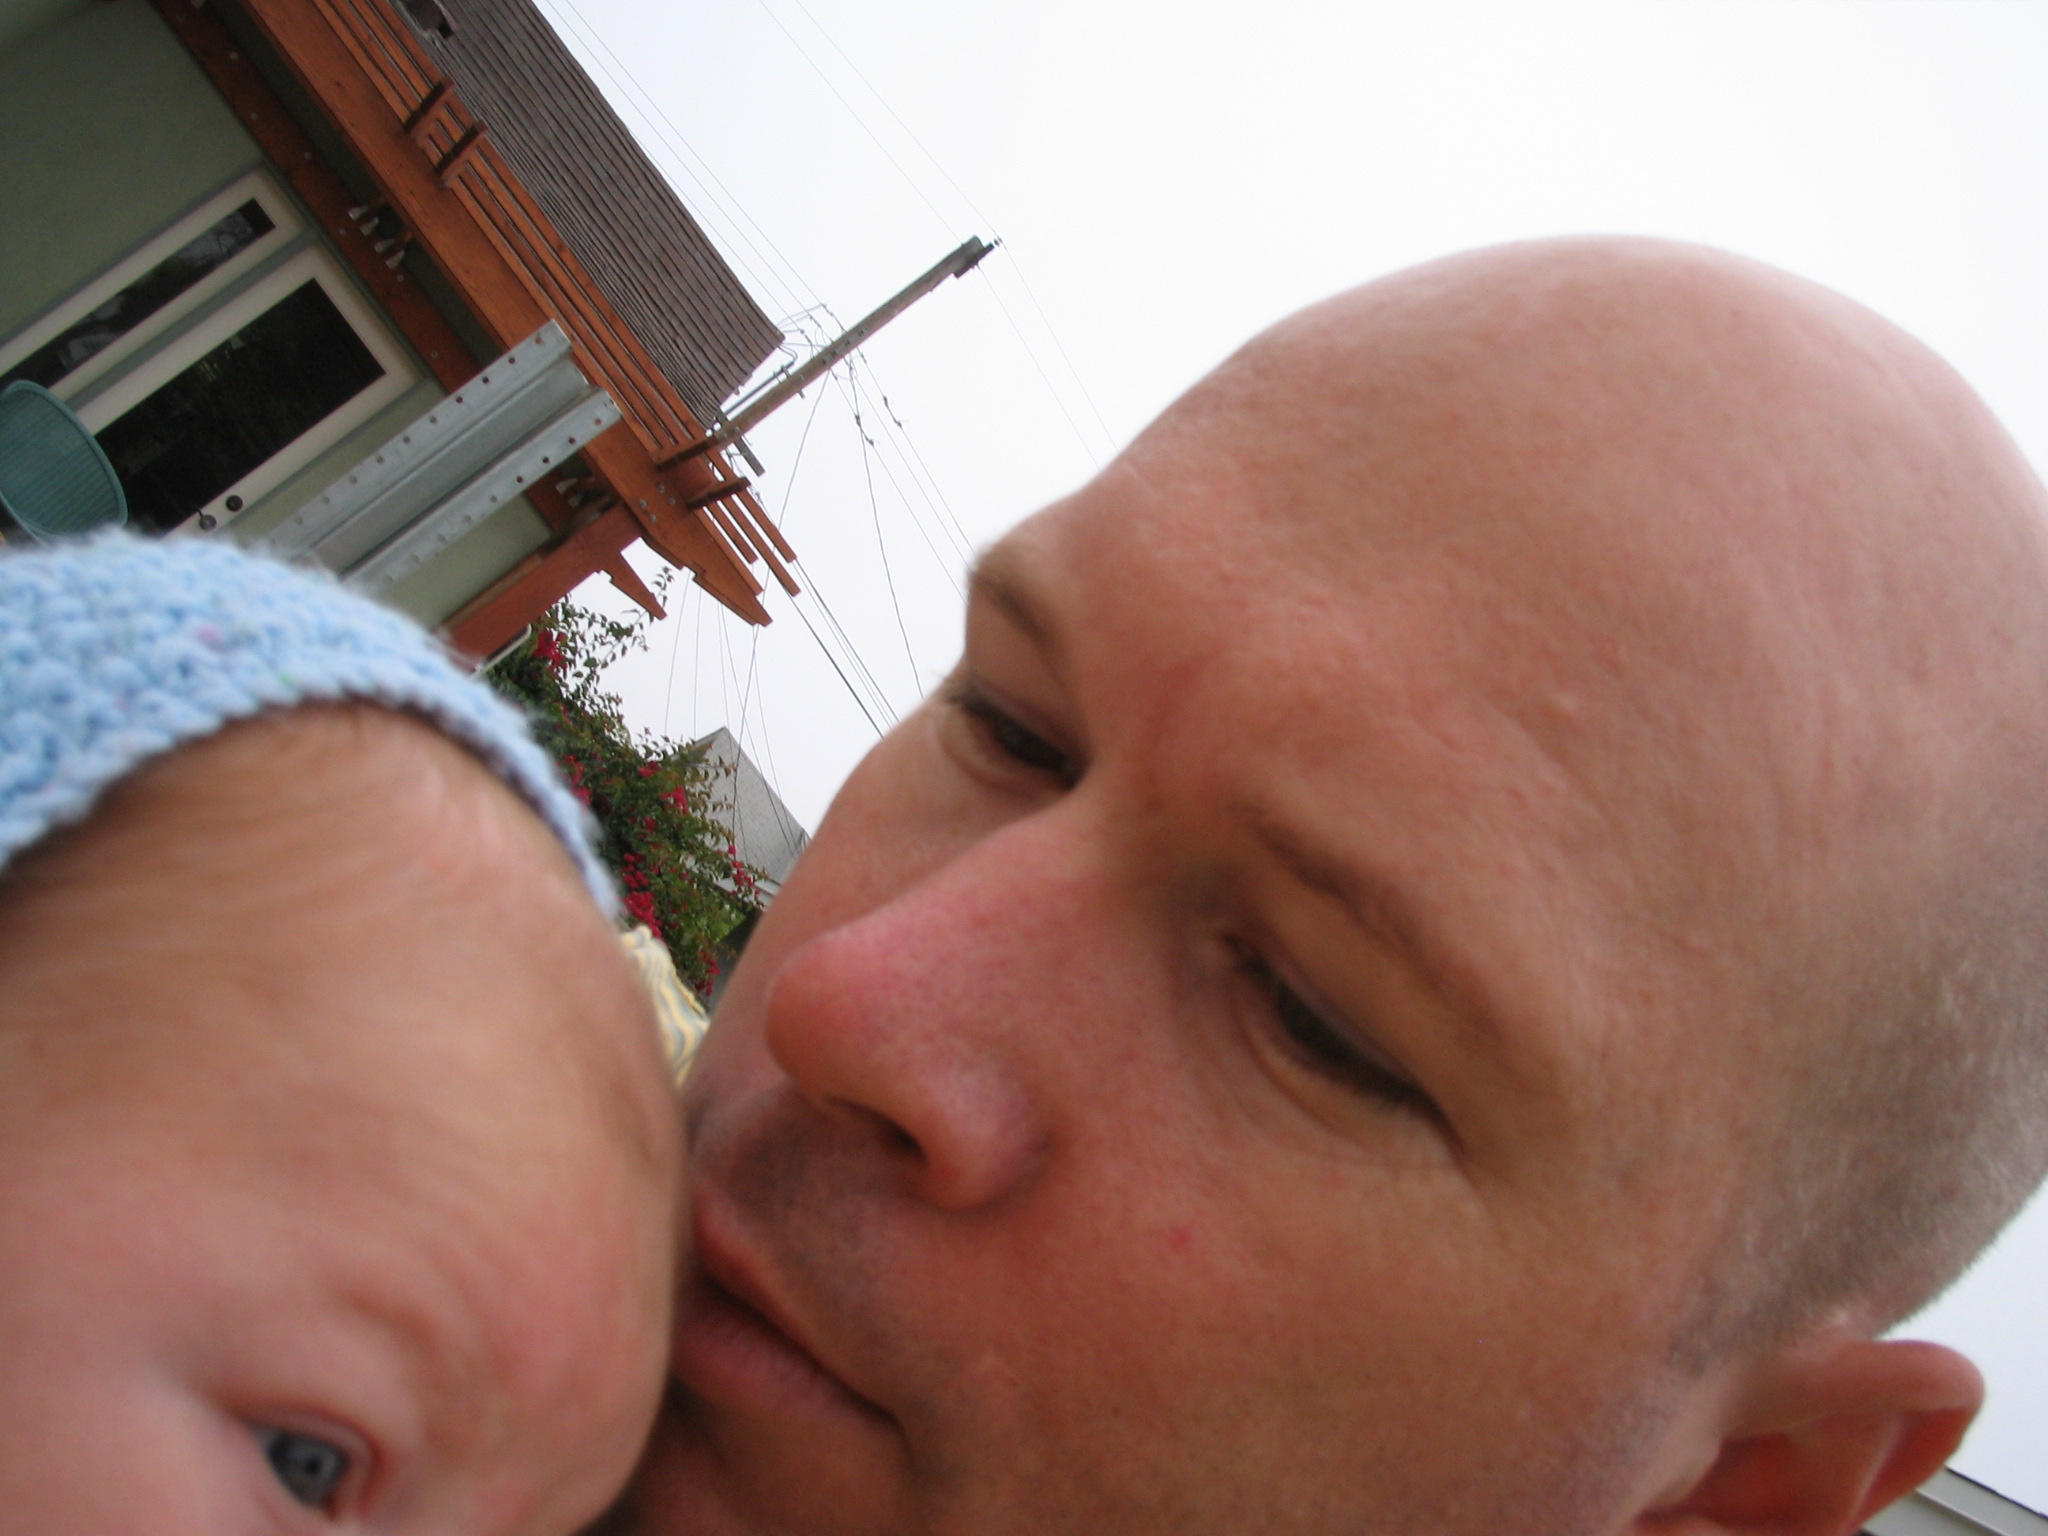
[120, 650]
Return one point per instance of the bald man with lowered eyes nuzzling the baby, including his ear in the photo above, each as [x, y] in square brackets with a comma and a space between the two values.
[1463, 941]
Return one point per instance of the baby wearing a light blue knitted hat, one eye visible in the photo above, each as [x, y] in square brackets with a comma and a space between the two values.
[339, 1164]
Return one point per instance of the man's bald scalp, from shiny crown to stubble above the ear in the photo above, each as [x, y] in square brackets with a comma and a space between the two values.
[1789, 552]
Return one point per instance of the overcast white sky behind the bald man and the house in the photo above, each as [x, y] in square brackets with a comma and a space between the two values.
[1170, 179]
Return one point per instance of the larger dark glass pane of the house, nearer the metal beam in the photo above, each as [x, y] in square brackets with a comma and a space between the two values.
[237, 407]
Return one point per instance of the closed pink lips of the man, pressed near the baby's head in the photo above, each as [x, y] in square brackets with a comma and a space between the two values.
[736, 1349]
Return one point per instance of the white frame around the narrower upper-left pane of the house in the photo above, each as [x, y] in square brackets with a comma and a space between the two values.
[286, 226]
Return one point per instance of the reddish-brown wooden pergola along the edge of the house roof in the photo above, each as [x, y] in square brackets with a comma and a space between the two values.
[441, 185]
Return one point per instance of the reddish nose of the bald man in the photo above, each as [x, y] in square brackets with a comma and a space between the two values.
[925, 1027]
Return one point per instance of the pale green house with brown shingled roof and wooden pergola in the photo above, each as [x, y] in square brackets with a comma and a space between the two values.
[382, 284]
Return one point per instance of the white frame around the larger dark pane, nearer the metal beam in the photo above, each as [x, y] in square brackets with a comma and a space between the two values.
[312, 263]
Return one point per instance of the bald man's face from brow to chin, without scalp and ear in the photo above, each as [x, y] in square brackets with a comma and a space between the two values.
[1224, 1064]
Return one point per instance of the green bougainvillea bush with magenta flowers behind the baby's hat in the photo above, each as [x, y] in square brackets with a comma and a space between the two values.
[660, 806]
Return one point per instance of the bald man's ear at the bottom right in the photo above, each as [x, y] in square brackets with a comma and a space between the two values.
[1822, 1437]
